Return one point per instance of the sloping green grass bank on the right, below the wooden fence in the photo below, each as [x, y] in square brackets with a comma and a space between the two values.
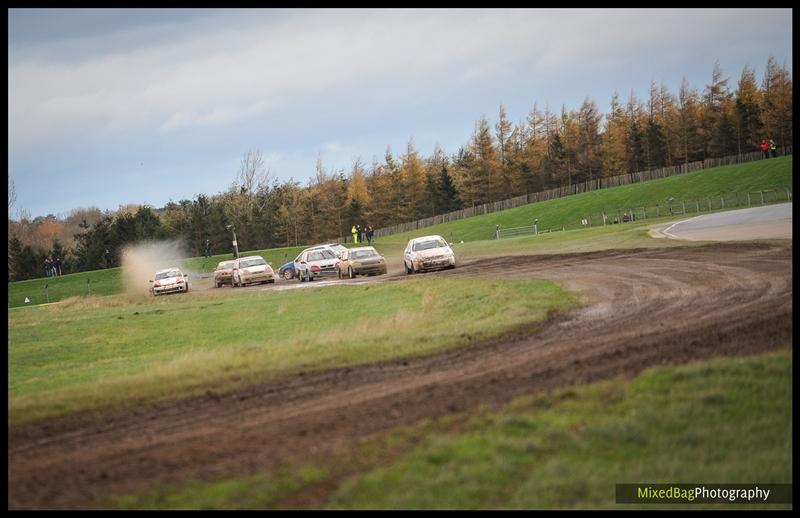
[568, 211]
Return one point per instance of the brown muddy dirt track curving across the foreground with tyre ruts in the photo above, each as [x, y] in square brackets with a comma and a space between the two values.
[646, 307]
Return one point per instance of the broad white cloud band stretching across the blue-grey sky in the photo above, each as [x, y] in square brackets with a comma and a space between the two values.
[213, 76]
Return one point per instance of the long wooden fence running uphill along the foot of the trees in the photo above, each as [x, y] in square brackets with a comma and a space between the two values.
[569, 190]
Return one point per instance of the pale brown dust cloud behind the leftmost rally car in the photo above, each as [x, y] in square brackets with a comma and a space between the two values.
[141, 261]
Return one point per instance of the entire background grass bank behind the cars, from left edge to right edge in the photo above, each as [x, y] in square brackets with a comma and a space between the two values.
[753, 176]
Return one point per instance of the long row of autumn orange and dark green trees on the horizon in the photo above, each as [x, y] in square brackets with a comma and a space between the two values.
[546, 149]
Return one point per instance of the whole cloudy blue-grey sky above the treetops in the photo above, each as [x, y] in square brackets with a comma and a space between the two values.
[109, 107]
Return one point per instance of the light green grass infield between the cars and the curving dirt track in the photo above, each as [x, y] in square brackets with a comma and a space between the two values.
[123, 351]
